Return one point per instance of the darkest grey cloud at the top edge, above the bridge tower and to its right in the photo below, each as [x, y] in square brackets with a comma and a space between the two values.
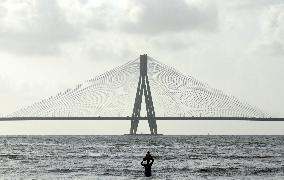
[159, 16]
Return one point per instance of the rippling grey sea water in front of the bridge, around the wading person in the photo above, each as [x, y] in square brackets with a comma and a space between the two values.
[119, 157]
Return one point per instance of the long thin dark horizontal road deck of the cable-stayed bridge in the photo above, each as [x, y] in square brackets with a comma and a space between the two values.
[141, 118]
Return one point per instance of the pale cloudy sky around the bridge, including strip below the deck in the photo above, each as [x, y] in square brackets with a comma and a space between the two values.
[47, 46]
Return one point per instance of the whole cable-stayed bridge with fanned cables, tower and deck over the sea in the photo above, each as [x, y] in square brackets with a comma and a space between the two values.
[120, 94]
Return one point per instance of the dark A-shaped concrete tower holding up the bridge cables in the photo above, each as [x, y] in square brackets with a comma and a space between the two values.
[143, 88]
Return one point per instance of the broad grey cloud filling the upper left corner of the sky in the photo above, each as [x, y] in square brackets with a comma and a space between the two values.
[34, 28]
